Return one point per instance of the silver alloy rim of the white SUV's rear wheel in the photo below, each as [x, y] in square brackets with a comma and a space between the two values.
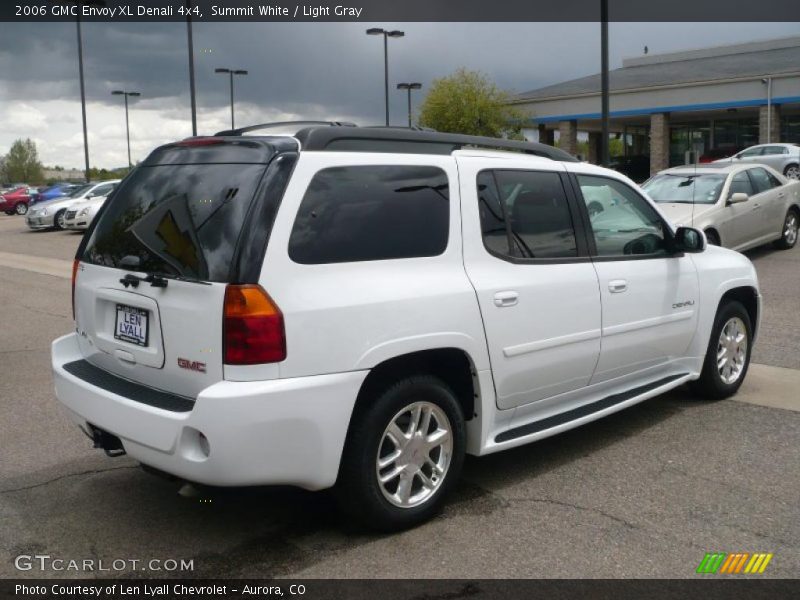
[414, 454]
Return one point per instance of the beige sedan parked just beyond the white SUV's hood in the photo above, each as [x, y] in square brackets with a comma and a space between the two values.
[739, 206]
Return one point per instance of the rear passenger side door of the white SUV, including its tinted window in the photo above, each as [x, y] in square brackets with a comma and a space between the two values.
[536, 286]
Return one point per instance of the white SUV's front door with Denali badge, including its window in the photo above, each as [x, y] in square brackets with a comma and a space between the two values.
[649, 295]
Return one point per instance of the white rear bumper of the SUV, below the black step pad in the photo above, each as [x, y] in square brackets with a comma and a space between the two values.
[276, 432]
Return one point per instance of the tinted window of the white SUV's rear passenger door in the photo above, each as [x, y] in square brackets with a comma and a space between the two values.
[524, 214]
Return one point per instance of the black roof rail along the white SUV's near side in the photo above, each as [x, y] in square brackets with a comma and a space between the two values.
[410, 141]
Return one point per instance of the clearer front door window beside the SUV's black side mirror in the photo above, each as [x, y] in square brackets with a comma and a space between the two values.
[623, 222]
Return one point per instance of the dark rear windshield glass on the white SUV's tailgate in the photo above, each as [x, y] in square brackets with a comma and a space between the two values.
[178, 220]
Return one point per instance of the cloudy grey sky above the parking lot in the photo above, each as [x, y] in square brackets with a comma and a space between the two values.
[297, 71]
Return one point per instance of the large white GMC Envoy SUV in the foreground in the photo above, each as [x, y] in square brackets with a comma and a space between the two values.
[360, 307]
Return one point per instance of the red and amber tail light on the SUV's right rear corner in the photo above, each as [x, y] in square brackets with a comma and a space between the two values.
[252, 330]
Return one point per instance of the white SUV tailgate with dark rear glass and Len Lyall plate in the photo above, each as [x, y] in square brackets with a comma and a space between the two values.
[151, 282]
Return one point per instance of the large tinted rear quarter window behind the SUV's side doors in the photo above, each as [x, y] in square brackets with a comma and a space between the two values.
[363, 213]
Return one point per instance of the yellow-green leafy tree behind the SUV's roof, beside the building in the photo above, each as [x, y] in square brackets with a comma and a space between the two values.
[467, 102]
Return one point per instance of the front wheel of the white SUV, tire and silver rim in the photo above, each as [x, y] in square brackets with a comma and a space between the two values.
[731, 326]
